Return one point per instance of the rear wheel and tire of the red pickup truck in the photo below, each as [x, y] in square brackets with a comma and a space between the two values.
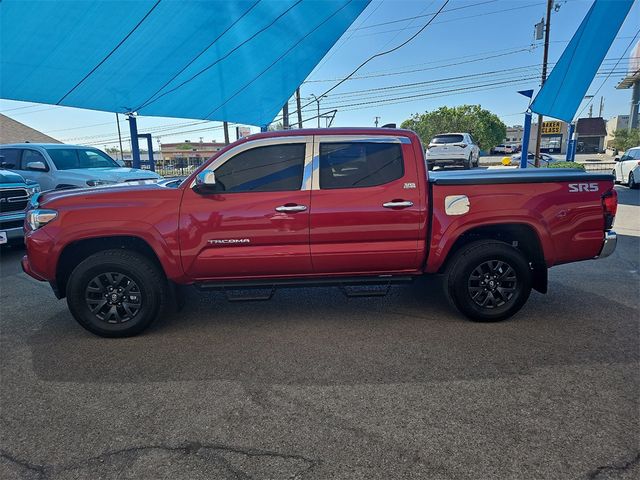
[469, 286]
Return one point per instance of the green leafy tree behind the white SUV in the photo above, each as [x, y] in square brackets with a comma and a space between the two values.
[486, 127]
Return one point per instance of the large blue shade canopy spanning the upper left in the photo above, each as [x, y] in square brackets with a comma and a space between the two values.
[235, 60]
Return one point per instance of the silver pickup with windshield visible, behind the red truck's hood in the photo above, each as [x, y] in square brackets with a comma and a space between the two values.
[60, 166]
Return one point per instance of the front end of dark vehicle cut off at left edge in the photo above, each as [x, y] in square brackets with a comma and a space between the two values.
[15, 193]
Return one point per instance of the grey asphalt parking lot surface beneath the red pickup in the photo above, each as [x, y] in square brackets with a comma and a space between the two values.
[313, 385]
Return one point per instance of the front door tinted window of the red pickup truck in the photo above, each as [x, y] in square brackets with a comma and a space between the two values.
[263, 169]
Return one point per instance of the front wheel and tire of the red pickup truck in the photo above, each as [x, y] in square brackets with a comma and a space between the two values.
[116, 293]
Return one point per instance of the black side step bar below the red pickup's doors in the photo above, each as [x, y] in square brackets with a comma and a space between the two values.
[269, 286]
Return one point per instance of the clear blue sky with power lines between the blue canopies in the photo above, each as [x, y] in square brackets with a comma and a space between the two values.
[475, 52]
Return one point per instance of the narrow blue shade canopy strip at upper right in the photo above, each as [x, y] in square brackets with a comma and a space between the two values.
[569, 80]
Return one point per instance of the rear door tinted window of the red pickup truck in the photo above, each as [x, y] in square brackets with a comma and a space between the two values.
[349, 165]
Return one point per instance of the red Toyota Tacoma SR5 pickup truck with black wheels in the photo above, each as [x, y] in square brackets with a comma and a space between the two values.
[309, 207]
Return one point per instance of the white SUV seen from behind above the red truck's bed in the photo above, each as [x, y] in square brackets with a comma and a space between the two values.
[453, 149]
